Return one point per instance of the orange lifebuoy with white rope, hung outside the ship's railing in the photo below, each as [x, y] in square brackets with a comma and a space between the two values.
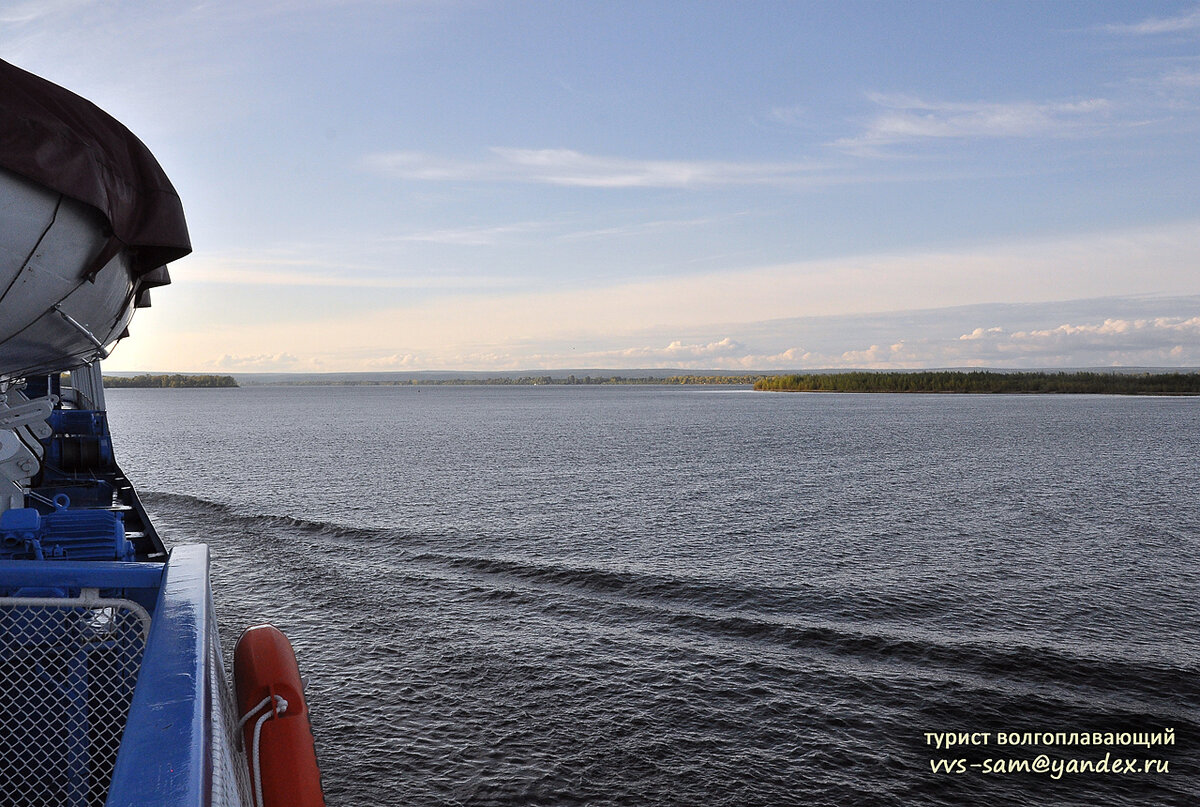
[277, 730]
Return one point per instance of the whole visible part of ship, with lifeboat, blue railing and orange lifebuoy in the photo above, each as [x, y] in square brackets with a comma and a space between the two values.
[130, 684]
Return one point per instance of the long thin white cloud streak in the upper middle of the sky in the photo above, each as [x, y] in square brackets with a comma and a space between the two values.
[567, 168]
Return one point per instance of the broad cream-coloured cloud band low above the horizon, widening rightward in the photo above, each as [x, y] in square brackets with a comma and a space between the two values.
[692, 318]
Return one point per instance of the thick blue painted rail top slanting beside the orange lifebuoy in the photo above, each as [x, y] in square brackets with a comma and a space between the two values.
[166, 754]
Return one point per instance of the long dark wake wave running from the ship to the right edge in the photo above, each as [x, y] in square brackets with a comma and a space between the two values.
[877, 627]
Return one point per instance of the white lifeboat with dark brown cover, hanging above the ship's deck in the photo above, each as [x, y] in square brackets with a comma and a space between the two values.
[89, 223]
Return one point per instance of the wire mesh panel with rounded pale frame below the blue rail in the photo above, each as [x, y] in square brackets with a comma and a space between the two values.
[68, 672]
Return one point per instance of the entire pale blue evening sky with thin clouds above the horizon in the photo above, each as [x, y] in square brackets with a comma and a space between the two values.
[379, 186]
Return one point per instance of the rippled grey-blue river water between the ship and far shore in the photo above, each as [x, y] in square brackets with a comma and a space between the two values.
[704, 596]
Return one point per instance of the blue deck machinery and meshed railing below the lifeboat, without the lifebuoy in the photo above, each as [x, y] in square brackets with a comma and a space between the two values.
[112, 686]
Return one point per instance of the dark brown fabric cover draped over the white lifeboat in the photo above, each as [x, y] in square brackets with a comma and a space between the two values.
[69, 145]
